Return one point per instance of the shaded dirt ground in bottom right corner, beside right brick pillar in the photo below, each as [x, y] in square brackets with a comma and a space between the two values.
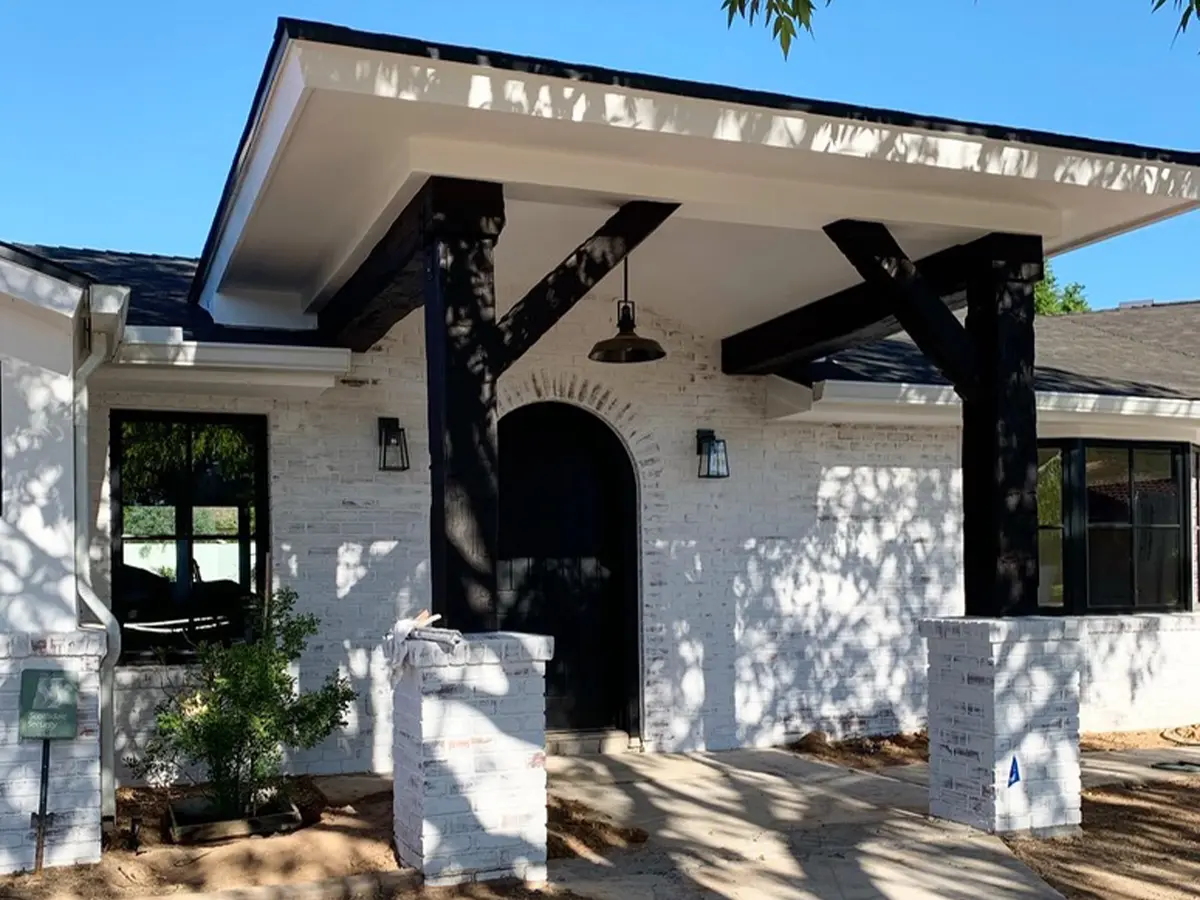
[1138, 844]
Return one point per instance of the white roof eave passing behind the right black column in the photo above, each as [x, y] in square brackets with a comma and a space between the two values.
[896, 404]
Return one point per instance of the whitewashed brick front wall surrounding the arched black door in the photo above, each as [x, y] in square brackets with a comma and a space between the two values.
[782, 599]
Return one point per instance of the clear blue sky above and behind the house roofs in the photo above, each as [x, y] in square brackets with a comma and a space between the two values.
[122, 116]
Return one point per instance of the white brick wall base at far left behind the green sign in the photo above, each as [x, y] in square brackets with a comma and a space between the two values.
[74, 799]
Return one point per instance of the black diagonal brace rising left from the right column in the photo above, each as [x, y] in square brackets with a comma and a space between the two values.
[885, 267]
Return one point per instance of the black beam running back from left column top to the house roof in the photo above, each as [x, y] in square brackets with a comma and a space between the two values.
[391, 283]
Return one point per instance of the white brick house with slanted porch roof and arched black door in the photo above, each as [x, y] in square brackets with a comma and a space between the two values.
[736, 611]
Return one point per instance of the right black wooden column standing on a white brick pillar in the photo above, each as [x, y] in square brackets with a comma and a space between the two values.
[1000, 431]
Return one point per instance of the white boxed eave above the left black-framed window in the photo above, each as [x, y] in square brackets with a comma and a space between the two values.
[160, 359]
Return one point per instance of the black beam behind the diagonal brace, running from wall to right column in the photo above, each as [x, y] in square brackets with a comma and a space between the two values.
[849, 319]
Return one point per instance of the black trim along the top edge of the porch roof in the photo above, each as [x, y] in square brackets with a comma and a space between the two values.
[340, 35]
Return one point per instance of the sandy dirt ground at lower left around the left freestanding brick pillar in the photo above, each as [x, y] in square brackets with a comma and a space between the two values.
[337, 842]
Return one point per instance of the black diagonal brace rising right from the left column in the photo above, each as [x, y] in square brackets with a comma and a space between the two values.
[554, 297]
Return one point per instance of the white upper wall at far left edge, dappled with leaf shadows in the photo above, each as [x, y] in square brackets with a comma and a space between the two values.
[38, 520]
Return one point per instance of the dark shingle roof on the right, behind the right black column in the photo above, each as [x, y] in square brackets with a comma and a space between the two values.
[1147, 351]
